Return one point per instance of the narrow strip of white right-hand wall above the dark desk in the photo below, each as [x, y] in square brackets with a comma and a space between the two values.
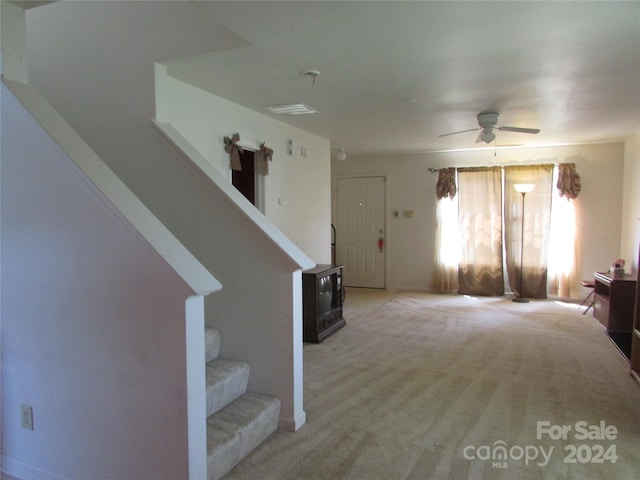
[631, 203]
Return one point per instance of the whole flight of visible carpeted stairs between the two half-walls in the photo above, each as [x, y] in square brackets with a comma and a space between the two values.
[237, 421]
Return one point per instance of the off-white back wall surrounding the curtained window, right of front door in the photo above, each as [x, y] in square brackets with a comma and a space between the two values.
[411, 242]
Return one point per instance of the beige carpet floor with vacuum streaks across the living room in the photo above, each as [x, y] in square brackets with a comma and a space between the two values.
[423, 386]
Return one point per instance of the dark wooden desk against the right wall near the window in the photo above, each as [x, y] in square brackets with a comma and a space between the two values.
[614, 301]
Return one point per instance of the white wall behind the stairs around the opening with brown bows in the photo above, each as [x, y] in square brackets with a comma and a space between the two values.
[297, 188]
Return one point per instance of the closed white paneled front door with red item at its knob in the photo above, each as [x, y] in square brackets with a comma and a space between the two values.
[360, 203]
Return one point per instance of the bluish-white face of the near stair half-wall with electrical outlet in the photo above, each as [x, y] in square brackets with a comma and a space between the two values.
[93, 325]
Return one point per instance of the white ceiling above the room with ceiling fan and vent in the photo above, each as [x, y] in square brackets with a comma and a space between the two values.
[395, 75]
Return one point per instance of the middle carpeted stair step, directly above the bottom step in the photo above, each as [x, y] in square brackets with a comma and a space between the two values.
[226, 381]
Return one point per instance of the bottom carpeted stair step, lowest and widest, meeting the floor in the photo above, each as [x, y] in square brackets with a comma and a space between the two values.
[236, 430]
